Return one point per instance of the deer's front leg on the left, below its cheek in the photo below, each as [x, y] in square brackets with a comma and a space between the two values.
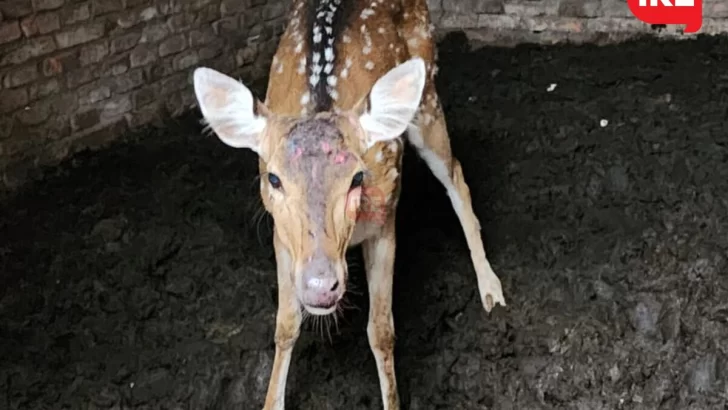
[288, 326]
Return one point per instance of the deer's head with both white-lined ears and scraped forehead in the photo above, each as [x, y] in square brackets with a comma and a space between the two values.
[313, 168]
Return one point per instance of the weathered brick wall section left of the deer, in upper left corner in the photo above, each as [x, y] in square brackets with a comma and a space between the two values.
[76, 74]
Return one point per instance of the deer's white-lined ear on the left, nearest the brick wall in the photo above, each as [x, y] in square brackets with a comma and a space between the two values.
[230, 109]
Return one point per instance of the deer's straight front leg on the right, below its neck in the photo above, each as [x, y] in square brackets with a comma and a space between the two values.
[378, 255]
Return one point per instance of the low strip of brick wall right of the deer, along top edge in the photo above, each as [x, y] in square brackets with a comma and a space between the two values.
[508, 22]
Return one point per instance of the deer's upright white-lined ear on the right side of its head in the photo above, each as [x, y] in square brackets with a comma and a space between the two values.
[392, 102]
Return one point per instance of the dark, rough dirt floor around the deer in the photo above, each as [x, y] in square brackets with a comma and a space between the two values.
[141, 277]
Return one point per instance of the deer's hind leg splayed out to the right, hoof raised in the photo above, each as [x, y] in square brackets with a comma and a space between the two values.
[430, 138]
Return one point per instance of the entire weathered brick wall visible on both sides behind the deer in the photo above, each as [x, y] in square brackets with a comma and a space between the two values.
[79, 73]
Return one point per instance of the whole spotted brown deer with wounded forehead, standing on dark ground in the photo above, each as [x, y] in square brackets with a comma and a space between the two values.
[349, 83]
